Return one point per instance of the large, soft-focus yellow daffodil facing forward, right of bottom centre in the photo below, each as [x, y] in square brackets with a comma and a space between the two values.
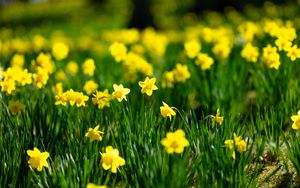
[175, 141]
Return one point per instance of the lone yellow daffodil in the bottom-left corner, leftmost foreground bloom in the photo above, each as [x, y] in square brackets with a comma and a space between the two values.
[37, 159]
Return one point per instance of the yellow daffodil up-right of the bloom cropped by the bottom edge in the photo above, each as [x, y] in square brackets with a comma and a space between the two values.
[111, 159]
